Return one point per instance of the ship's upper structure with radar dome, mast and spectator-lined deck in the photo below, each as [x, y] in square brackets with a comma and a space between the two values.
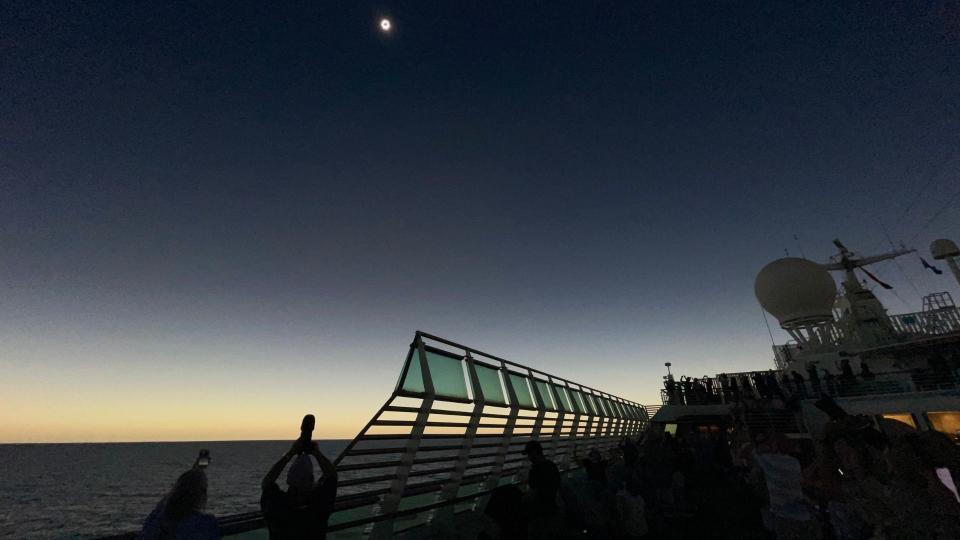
[845, 345]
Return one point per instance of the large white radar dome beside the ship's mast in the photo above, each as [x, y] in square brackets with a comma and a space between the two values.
[796, 291]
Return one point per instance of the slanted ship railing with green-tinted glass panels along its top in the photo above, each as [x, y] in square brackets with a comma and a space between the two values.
[452, 431]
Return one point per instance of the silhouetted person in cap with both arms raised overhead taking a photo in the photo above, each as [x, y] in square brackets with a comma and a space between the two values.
[301, 512]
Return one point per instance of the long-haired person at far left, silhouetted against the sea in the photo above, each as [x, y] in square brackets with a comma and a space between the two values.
[179, 516]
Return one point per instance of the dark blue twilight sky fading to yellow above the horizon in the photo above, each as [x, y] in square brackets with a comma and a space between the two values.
[215, 217]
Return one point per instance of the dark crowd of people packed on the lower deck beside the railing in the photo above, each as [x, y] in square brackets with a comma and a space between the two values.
[854, 483]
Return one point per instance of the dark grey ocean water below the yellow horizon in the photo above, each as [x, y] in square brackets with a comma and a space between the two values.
[73, 491]
